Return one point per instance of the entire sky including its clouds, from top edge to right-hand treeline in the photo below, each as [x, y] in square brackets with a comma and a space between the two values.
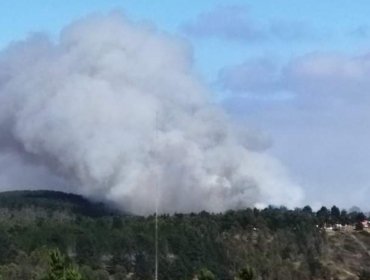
[296, 70]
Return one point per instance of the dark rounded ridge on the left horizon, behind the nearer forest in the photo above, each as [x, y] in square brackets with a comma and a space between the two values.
[53, 201]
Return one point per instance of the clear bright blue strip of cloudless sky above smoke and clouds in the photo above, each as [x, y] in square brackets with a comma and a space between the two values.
[328, 26]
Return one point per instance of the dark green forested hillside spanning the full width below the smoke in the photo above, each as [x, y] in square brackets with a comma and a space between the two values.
[273, 243]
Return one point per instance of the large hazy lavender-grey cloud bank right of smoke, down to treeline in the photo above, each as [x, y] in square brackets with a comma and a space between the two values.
[322, 132]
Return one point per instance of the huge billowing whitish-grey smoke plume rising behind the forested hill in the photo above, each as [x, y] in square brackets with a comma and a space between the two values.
[79, 114]
